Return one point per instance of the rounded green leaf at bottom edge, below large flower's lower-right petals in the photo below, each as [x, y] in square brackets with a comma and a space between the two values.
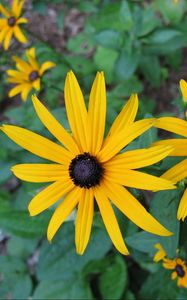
[113, 281]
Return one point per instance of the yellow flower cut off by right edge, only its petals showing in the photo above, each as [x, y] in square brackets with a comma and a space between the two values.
[179, 171]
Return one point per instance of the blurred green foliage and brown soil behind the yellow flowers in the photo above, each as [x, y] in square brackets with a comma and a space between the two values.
[142, 48]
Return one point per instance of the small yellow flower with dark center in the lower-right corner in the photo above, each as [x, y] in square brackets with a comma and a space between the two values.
[180, 270]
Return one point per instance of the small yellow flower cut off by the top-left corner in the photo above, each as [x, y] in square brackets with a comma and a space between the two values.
[10, 24]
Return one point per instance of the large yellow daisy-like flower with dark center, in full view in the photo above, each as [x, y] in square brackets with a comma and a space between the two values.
[89, 166]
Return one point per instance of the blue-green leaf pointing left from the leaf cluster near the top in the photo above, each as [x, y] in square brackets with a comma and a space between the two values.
[109, 39]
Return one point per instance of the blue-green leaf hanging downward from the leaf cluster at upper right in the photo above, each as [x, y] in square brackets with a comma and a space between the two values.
[126, 64]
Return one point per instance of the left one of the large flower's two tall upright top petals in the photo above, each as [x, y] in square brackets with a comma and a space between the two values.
[76, 111]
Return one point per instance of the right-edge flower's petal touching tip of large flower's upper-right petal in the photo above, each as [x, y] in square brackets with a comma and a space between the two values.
[174, 125]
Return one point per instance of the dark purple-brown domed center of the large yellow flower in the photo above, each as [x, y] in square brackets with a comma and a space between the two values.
[85, 171]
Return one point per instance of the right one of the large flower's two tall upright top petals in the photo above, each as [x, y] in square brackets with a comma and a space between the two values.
[97, 113]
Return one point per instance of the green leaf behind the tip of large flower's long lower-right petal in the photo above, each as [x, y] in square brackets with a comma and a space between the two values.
[164, 208]
